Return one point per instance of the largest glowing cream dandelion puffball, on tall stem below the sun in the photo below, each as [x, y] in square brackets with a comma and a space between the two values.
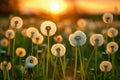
[48, 28]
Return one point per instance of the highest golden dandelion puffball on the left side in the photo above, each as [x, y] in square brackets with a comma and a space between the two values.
[16, 22]
